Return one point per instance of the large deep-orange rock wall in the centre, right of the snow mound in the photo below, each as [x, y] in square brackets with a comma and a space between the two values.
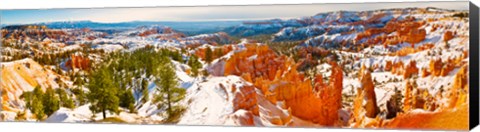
[277, 78]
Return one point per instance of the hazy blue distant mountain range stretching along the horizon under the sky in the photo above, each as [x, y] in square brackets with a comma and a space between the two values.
[291, 29]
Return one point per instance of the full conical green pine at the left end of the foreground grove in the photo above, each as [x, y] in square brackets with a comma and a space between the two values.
[103, 94]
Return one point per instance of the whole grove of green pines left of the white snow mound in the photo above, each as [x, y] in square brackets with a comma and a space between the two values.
[126, 75]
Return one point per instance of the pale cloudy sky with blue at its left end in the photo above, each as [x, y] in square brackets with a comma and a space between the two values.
[201, 13]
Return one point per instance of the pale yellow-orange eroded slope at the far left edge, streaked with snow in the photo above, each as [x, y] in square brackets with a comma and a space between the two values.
[25, 75]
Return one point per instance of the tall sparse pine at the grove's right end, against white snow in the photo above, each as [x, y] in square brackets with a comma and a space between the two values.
[168, 87]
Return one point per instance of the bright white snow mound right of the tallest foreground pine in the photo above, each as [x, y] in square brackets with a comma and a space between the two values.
[208, 103]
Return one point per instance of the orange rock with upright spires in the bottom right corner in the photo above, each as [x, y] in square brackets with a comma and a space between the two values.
[451, 117]
